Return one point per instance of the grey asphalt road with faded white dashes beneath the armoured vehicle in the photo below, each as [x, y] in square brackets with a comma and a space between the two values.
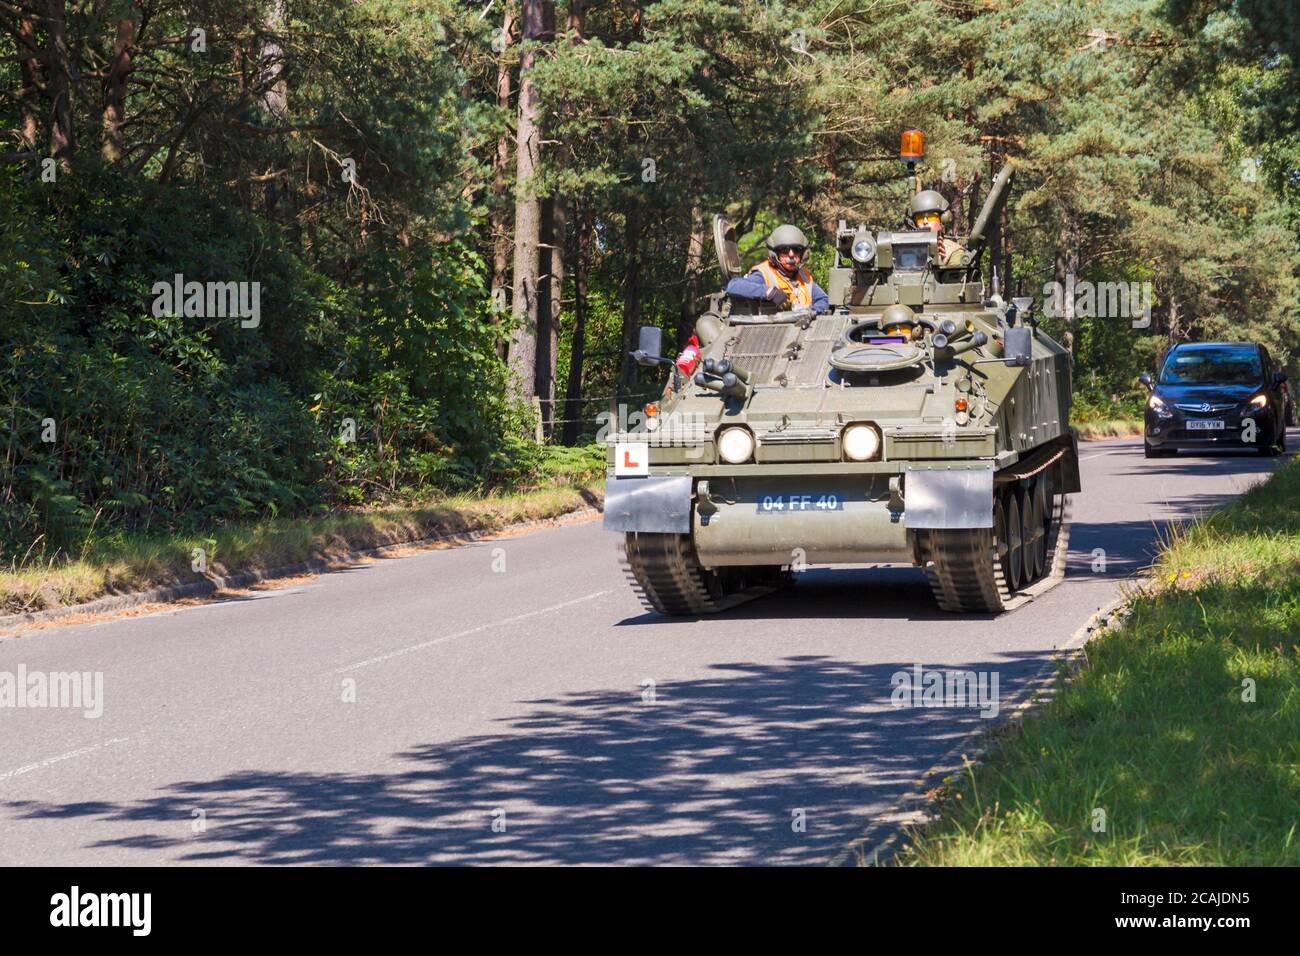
[493, 704]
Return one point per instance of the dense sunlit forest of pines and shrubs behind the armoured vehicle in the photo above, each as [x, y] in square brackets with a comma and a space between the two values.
[265, 257]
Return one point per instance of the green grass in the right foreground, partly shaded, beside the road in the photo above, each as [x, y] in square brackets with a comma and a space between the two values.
[1154, 729]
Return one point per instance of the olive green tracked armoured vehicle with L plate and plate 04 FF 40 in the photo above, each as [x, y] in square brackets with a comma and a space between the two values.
[922, 421]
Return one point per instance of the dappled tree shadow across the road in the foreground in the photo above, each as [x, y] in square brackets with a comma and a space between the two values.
[716, 771]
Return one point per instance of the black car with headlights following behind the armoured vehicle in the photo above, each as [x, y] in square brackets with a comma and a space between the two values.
[1208, 395]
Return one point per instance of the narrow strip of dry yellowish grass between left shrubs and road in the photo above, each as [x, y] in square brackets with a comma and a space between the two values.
[138, 564]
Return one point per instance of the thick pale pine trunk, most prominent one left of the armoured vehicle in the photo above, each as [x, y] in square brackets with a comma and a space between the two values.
[523, 345]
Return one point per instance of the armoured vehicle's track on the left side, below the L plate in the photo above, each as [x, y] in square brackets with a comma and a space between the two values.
[669, 578]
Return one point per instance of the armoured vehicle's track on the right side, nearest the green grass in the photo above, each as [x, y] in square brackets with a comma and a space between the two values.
[965, 569]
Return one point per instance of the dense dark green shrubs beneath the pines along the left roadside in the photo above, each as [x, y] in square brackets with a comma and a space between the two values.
[171, 422]
